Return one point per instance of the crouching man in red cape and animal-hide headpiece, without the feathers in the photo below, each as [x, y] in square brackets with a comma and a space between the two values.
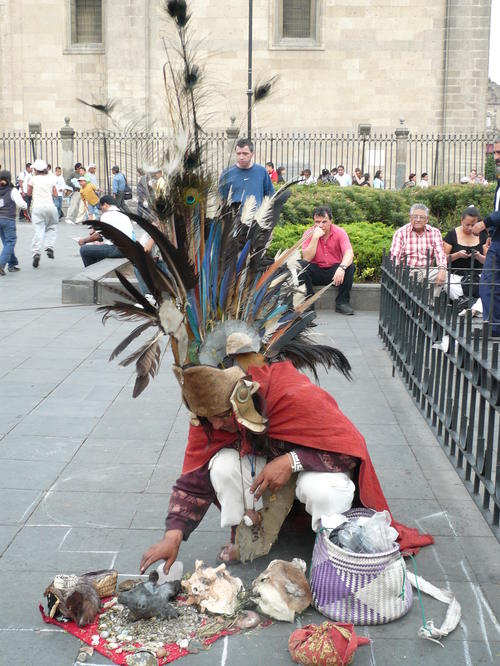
[254, 429]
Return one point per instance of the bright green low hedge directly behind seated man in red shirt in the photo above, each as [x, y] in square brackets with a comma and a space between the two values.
[368, 239]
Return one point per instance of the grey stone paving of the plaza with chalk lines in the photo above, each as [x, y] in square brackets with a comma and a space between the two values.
[86, 470]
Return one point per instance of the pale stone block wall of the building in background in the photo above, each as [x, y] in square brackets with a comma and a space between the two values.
[377, 61]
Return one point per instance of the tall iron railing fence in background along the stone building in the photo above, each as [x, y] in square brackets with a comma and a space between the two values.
[445, 157]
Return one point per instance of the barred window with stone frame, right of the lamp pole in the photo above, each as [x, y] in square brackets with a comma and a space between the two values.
[296, 23]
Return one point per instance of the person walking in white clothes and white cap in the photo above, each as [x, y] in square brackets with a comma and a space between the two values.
[43, 211]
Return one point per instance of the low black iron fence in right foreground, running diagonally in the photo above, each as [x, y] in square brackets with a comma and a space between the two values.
[450, 367]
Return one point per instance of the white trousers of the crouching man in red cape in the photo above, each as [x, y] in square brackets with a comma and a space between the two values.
[323, 493]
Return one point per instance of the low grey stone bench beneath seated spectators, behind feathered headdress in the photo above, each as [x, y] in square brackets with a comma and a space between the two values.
[91, 286]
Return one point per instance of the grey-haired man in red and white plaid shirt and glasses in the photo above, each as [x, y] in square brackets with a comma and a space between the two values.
[417, 243]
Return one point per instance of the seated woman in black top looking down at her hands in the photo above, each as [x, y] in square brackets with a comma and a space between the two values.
[467, 252]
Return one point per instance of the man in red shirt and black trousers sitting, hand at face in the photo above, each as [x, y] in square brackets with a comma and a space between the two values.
[327, 256]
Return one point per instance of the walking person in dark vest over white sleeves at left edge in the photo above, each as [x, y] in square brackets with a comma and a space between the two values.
[10, 198]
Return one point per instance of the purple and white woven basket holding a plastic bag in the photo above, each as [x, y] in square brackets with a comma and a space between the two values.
[361, 588]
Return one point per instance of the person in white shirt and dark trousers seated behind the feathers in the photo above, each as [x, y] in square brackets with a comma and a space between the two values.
[94, 248]
